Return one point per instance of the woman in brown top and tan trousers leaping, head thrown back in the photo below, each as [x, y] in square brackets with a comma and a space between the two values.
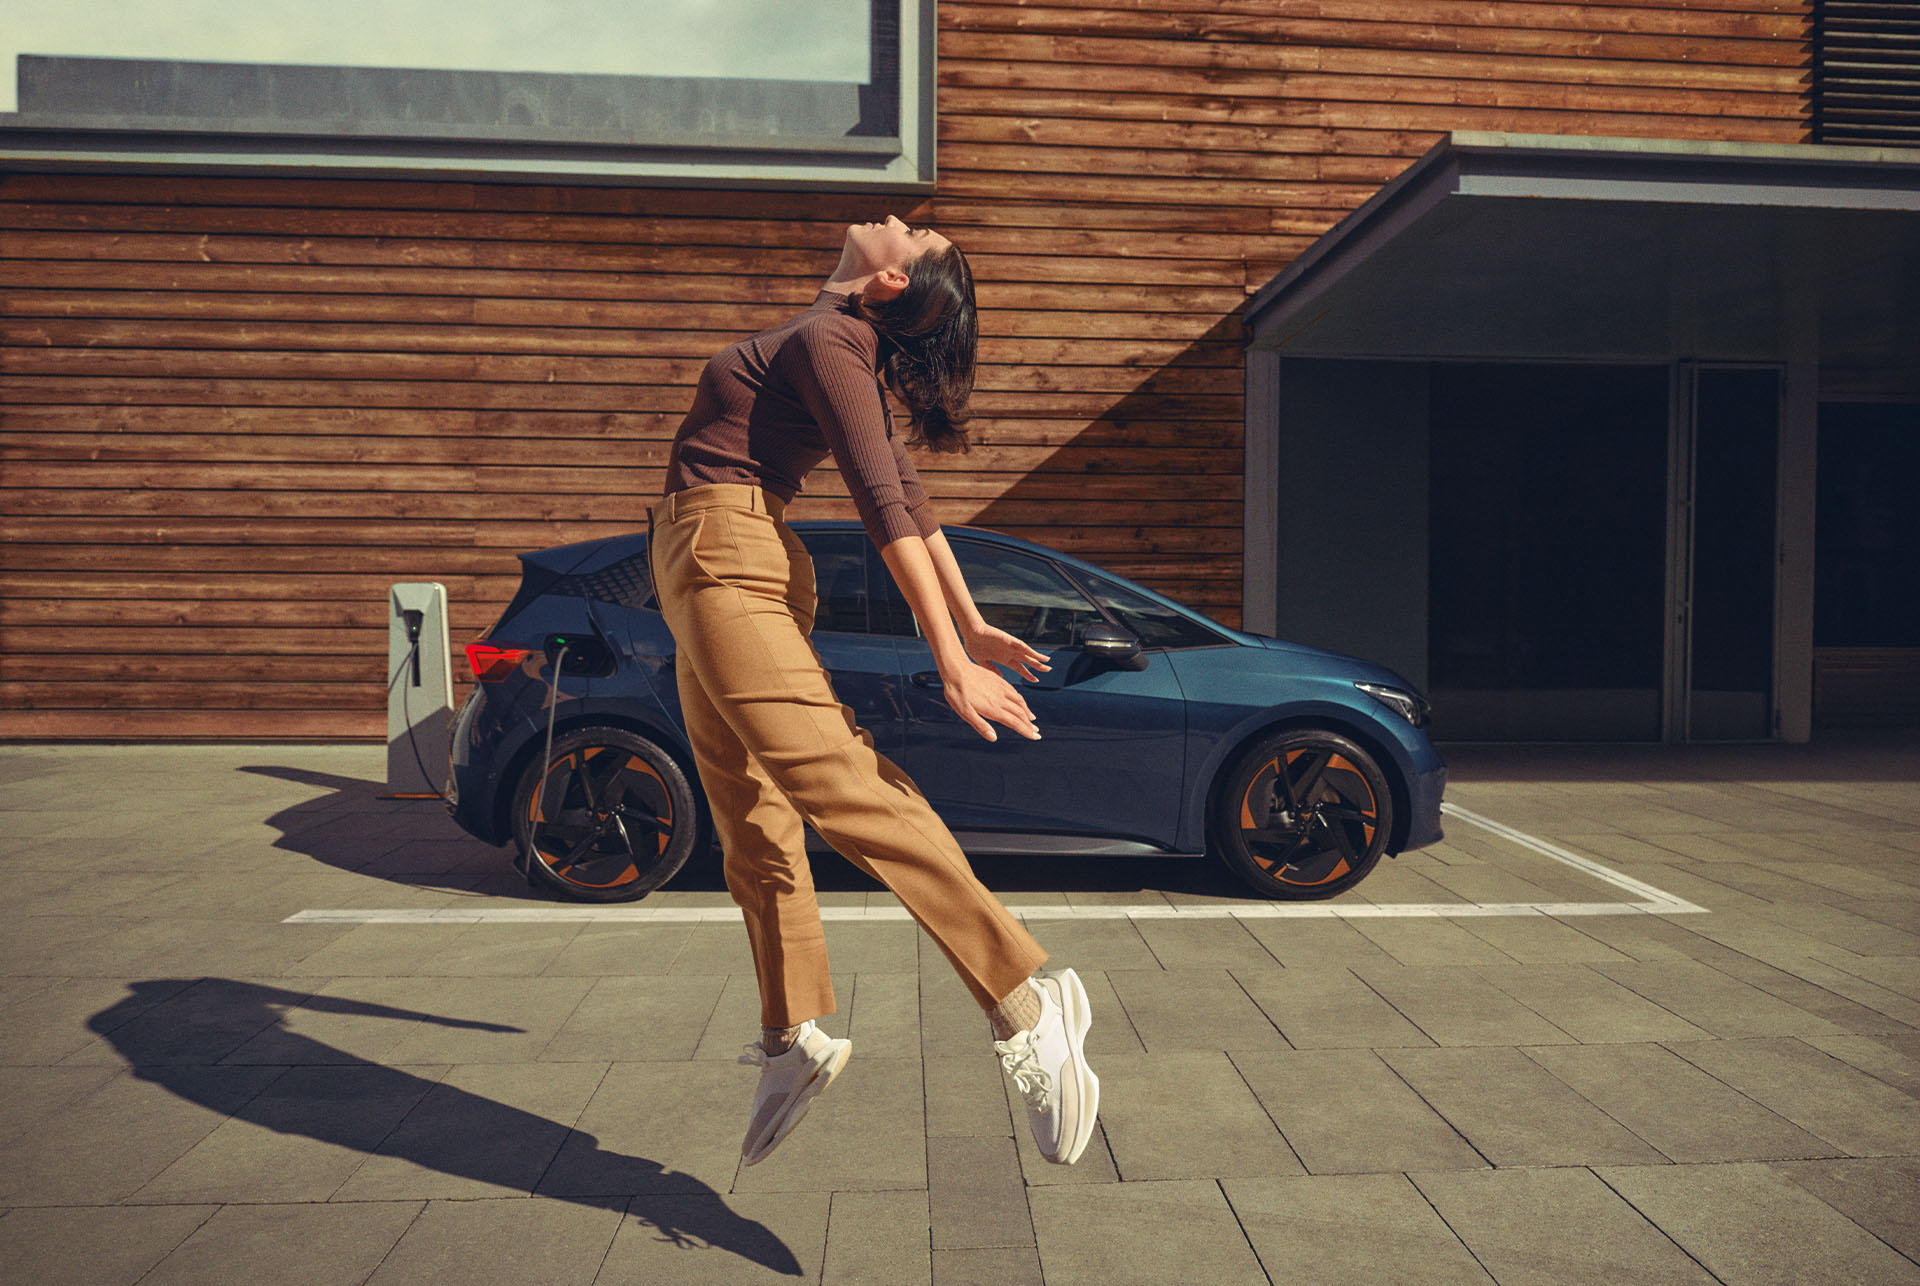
[773, 742]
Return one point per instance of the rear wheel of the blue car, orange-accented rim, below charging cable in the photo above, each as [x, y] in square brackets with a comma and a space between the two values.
[615, 822]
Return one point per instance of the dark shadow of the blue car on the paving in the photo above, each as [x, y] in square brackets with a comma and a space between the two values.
[416, 844]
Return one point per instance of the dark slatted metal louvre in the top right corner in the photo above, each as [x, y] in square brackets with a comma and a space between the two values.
[1867, 72]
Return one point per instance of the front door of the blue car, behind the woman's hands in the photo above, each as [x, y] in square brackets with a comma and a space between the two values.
[1111, 759]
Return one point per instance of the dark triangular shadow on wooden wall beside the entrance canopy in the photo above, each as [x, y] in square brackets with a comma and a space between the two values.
[1149, 487]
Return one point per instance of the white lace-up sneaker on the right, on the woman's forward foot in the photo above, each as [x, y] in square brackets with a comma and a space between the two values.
[1051, 1068]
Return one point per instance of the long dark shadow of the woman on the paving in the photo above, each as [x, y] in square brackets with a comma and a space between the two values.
[491, 1143]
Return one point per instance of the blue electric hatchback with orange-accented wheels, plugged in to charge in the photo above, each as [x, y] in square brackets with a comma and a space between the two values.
[1163, 732]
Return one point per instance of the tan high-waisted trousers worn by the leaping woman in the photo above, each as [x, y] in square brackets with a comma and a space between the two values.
[775, 746]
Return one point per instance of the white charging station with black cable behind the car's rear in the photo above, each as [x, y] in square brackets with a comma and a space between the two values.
[420, 690]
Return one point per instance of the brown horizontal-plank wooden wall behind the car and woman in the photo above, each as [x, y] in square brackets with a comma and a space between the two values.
[235, 410]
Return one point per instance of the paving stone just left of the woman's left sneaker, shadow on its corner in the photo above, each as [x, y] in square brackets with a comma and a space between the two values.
[656, 1130]
